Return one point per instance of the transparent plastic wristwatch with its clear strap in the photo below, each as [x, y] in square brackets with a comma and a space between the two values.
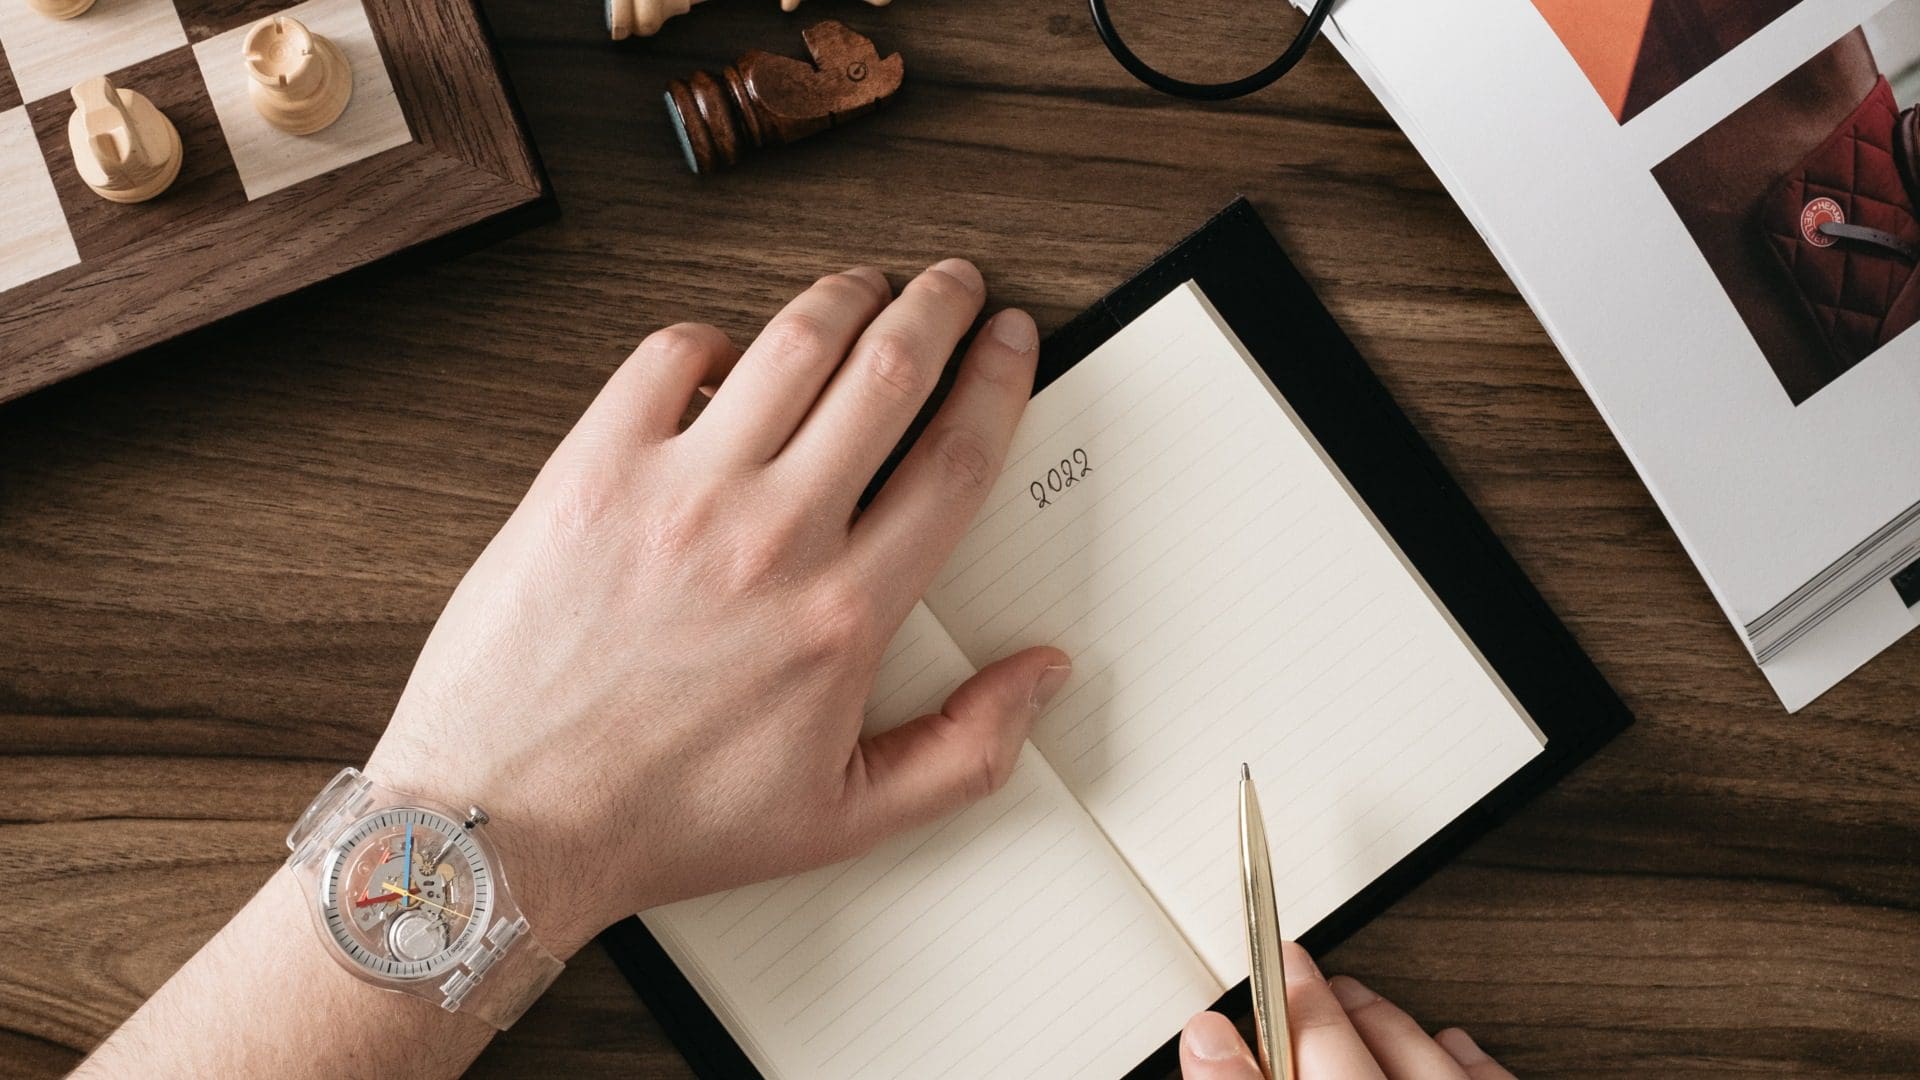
[410, 896]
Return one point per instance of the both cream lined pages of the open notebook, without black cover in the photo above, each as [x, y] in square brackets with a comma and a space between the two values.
[1170, 522]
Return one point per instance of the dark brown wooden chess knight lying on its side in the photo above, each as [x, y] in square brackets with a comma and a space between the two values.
[771, 101]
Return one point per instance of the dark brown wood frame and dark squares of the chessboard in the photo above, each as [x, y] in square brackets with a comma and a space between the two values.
[204, 249]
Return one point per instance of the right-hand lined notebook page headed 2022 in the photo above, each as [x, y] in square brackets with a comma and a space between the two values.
[1166, 522]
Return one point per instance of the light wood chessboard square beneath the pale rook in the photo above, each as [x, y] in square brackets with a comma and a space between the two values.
[270, 159]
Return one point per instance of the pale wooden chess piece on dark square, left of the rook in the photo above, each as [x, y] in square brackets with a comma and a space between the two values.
[126, 149]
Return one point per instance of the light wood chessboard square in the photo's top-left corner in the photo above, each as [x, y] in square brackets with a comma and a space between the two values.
[49, 57]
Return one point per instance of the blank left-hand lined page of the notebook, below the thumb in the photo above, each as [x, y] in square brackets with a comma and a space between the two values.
[1009, 941]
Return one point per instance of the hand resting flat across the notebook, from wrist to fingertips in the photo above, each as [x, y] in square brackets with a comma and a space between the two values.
[654, 675]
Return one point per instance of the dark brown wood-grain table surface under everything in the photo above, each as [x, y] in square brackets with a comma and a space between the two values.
[218, 560]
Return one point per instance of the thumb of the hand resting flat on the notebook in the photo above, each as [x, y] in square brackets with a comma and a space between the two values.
[930, 768]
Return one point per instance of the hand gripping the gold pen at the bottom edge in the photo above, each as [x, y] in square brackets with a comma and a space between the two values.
[1341, 1031]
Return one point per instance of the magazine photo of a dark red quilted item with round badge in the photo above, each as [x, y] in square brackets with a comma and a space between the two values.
[1804, 205]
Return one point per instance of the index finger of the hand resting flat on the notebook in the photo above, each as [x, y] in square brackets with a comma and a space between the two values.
[919, 518]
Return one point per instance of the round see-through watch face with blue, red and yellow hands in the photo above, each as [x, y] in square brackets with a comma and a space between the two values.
[404, 893]
